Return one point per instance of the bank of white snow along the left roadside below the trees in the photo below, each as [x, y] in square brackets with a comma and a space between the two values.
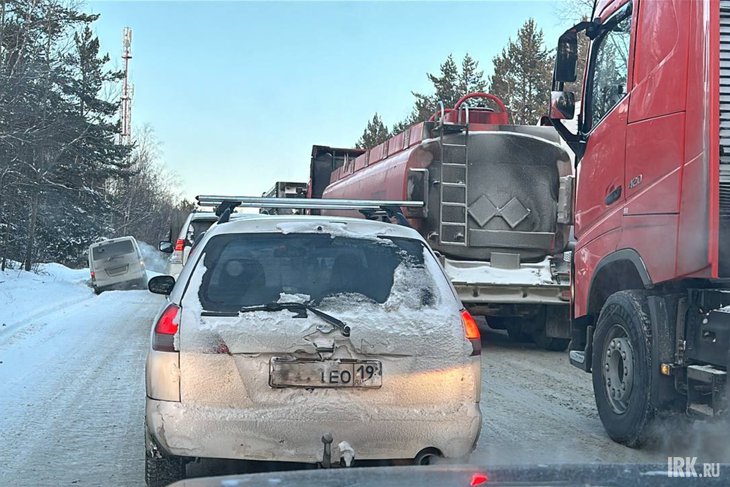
[24, 295]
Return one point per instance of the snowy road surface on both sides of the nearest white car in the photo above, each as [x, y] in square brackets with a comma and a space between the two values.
[72, 395]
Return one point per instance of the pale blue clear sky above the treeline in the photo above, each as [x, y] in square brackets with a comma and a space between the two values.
[238, 92]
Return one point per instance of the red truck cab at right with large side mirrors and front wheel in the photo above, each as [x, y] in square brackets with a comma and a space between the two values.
[652, 208]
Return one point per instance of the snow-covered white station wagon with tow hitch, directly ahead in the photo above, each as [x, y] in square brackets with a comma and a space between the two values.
[302, 339]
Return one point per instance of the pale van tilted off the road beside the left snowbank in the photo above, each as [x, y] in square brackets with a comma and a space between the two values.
[116, 264]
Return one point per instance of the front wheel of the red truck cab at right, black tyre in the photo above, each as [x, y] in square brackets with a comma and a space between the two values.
[622, 368]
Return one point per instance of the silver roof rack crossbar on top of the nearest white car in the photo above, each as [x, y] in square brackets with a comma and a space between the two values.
[224, 205]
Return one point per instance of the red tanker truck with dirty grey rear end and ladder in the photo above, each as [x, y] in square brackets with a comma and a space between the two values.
[495, 208]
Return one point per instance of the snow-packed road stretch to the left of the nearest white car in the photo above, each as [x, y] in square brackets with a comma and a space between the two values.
[72, 393]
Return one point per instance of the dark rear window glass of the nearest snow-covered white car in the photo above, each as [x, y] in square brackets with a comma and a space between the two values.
[250, 269]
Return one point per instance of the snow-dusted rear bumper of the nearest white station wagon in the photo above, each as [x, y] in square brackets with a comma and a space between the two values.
[273, 435]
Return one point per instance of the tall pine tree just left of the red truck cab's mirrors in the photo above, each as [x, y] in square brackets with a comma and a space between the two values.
[522, 75]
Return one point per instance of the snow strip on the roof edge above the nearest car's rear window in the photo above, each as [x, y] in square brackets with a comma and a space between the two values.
[340, 226]
